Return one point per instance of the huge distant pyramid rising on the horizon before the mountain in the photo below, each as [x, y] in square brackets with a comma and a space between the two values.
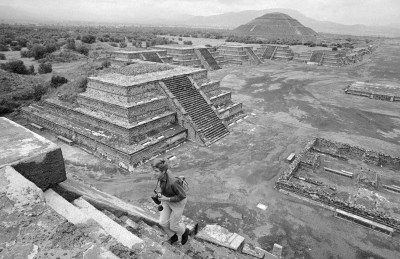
[277, 26]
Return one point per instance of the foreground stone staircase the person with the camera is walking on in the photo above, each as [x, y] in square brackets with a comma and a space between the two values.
[134, 232]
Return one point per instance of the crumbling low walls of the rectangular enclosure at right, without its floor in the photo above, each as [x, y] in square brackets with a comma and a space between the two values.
[326, 195]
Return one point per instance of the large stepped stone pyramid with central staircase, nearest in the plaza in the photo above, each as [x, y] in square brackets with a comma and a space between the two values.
[134, 112]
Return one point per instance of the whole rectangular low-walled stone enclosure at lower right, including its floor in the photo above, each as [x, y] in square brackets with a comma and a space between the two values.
[359, 185]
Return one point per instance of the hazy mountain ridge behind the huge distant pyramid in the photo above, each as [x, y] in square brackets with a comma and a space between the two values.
[234, 19]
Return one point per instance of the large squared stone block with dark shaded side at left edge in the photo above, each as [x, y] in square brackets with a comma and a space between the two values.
[36, 158]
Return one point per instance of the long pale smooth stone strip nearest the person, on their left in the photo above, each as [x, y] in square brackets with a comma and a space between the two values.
[121, 234]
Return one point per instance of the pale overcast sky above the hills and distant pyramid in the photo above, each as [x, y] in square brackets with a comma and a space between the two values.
[379, 12]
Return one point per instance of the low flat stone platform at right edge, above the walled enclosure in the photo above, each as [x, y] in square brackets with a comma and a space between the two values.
[377, 91]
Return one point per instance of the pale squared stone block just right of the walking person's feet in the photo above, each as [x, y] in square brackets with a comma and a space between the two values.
[221, 236]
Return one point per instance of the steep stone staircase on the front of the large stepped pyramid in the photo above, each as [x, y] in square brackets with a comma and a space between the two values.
[203, 116]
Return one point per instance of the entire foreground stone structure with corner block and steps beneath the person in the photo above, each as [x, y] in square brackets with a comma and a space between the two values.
[46, 215]
